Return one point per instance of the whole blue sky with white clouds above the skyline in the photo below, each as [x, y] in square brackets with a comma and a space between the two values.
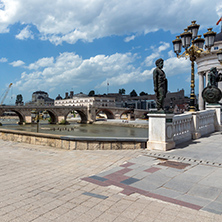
[59, 46]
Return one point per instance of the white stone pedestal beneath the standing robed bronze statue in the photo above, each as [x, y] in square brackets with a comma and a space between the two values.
[160, 132]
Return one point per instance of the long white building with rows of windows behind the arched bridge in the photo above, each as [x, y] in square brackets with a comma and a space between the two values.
[84, 100]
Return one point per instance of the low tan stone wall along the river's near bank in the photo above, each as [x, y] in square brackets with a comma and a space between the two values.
[71, 142]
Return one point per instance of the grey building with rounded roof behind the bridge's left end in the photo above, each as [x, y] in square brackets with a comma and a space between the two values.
[40, 98]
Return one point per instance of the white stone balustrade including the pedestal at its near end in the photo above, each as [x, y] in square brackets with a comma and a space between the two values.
[166, 130]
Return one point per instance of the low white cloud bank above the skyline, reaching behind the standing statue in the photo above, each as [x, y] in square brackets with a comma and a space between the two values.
[69, 70]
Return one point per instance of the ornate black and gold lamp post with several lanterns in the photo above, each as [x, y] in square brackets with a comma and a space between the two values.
[193, 45]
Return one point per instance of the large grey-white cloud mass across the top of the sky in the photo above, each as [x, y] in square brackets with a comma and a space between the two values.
[86, 20]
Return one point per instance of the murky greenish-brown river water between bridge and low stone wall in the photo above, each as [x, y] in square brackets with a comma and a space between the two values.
[76, 129]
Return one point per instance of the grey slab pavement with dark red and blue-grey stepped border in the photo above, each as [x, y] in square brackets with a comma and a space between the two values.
[193, 183]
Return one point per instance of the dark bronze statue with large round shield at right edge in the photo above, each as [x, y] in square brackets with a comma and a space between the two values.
[212, 94]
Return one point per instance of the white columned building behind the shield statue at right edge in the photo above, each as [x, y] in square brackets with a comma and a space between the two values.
[204, 64]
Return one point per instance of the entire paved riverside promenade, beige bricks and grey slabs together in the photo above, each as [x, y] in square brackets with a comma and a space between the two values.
[39, 183]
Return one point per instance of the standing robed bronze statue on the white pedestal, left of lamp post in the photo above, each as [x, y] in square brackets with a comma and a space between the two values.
[160, 84]
